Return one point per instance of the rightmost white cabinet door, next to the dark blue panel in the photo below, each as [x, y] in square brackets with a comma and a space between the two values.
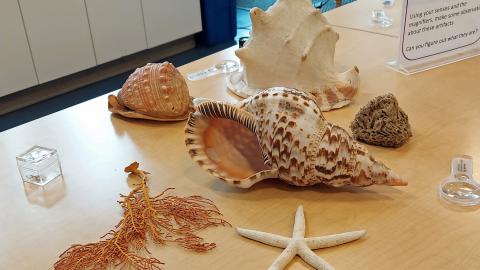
[167, 20]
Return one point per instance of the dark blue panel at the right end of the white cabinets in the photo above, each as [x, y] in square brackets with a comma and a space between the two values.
[219, 21]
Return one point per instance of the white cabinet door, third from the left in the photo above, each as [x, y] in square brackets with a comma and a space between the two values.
[117, 28]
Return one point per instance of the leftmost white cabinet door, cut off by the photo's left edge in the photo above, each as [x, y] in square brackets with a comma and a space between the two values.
[16, 66]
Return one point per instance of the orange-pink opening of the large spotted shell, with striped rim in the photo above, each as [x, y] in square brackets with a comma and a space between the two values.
[224, 147]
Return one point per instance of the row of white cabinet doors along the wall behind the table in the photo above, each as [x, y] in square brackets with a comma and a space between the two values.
[43, 40]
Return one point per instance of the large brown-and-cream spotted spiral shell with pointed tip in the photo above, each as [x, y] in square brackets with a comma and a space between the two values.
[279, 133]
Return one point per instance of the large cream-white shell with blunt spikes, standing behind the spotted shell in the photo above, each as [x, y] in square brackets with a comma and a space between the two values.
[291, 45]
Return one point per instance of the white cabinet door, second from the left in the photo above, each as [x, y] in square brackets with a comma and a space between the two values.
[59, 37]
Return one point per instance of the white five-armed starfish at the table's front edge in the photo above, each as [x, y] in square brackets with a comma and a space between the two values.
[299, 245]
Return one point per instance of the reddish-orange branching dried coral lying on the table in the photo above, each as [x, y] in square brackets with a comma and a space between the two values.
[163, 218]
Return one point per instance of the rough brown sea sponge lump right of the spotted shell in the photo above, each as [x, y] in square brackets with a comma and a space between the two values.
[382, 122]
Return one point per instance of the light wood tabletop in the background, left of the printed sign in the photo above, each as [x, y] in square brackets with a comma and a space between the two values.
[357, 14]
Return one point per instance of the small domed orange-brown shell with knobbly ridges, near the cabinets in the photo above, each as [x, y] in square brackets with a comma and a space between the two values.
[154, 92]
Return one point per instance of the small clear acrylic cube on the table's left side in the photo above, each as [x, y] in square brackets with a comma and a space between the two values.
[39, 165]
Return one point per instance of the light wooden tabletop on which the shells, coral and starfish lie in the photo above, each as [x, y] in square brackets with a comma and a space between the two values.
[408, 227]
